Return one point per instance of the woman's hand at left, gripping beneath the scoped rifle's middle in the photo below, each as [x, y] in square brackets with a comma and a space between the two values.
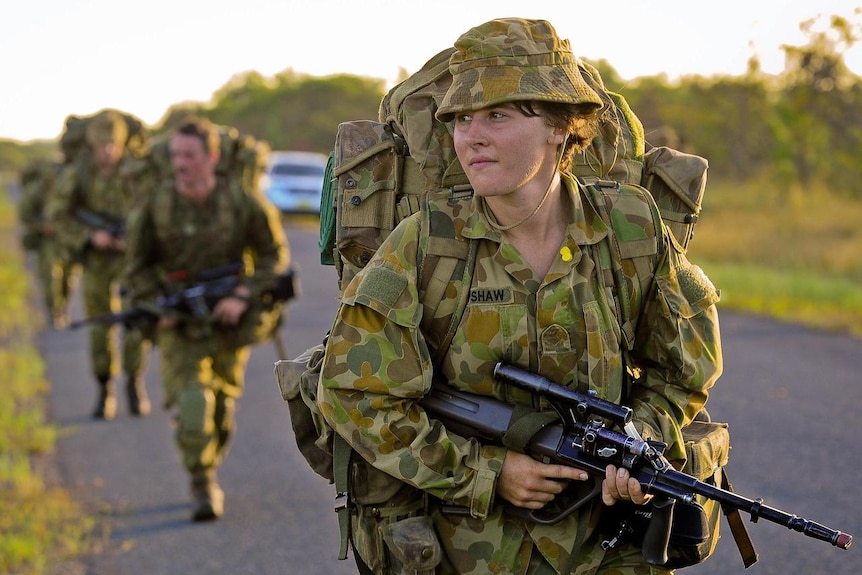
[528, 483]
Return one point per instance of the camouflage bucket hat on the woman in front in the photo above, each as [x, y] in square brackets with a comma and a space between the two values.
[513, 59]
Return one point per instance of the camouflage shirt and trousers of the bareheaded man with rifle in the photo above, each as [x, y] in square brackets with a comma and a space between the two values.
[202, 362]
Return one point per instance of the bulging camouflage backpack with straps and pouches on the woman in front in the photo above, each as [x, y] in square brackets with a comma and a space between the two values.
[381, 172]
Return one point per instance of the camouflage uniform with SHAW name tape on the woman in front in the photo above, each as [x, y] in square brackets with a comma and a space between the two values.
[563, 326]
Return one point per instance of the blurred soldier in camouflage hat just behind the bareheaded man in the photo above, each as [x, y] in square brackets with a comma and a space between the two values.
[88, 210]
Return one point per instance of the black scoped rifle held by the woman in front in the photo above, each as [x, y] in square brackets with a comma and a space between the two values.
[580, 438]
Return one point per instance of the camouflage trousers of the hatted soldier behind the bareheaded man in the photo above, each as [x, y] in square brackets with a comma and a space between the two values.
[101, 290]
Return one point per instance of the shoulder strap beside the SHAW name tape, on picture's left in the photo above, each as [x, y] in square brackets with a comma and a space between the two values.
[445, 267]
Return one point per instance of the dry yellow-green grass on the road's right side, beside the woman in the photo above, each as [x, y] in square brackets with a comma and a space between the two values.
[796, 256]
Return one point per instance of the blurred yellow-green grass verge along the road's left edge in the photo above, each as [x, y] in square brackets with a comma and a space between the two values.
[41, 524]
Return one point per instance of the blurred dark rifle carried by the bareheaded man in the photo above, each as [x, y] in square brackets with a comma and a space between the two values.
[198, 300]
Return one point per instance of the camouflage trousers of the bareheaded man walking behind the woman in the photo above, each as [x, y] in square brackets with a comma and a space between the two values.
[202, 379]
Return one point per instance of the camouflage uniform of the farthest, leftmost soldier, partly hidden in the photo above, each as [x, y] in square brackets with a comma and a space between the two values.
[54, 270]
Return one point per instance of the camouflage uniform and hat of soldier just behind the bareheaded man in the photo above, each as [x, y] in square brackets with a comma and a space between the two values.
[81, 185]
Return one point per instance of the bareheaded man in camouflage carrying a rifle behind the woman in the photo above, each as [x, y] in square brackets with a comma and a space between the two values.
[191, 224]
